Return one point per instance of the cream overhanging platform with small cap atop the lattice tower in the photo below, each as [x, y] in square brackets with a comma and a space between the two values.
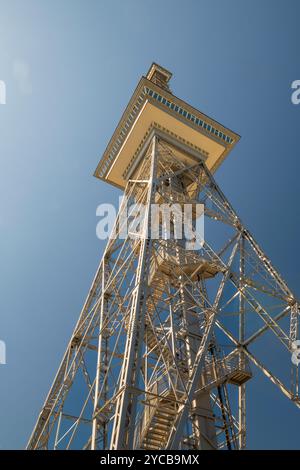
[154, 109]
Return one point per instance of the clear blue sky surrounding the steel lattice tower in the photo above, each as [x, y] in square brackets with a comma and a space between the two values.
[70, 67]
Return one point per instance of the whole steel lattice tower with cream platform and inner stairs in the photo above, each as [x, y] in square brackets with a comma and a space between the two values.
[171, 331]
